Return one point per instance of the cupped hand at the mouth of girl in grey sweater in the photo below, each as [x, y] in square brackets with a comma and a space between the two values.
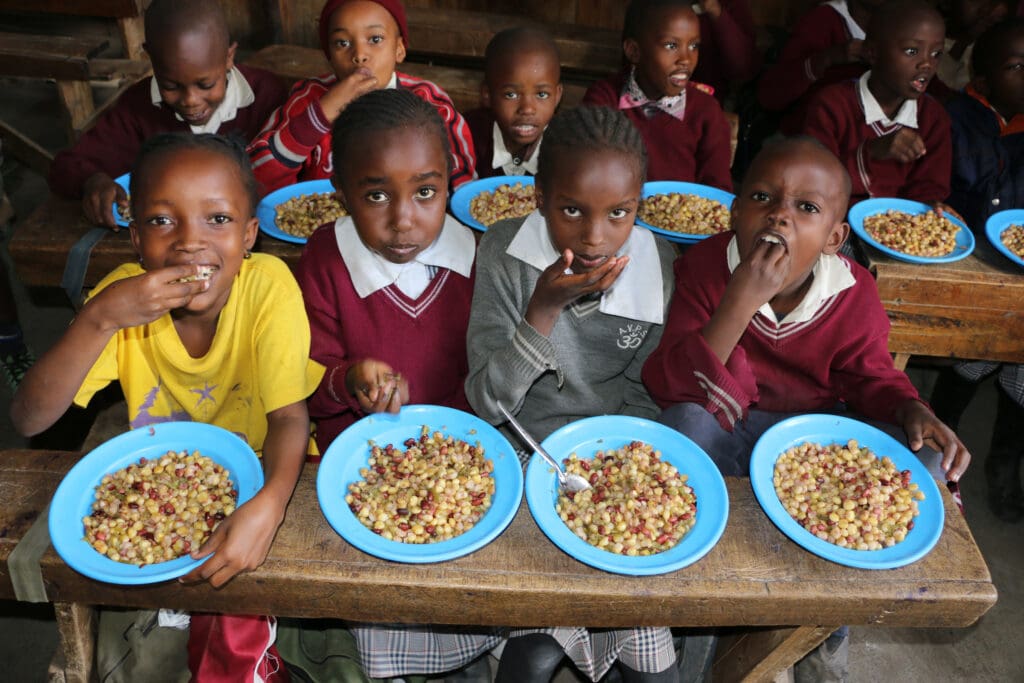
[559, 287]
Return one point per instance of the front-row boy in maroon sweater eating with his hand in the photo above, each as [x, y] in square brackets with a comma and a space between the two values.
[769, 321]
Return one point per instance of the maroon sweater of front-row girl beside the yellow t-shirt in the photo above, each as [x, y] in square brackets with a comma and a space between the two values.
[423, 339]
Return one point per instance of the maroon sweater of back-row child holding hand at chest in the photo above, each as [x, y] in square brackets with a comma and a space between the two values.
[836, 117]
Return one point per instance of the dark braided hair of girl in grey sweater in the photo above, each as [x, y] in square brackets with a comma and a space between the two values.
[589, 129]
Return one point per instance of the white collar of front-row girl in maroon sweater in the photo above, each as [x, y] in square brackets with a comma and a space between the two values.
[454, 249]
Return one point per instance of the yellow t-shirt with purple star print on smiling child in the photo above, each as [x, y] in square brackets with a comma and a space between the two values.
[259, 362]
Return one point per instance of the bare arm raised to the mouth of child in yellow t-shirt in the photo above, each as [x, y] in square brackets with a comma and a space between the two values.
[51, 386]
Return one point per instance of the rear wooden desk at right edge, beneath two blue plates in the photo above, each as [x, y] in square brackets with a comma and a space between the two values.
[971, 309]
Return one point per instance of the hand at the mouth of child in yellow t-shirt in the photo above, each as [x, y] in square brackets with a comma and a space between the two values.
[145, 298]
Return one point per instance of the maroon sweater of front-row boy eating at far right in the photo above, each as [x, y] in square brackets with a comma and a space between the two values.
[840, 355]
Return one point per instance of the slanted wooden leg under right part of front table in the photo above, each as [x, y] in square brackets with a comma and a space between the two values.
[761, 655]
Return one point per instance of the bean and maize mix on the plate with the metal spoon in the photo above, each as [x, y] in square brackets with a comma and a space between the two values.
[638, 504]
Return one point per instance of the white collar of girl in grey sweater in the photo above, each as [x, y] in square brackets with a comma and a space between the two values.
[638, 293]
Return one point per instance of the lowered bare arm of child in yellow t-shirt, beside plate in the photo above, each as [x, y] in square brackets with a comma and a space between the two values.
[242, 541]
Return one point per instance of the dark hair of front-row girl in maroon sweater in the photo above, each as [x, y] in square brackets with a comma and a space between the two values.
[386, 110]
